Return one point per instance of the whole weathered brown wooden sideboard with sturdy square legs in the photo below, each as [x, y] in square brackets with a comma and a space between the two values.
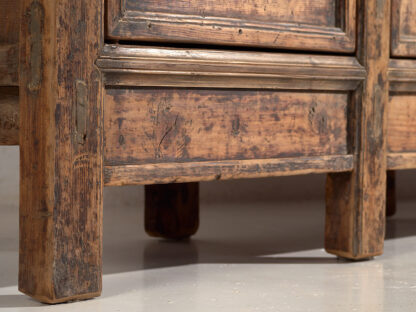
[169, 93]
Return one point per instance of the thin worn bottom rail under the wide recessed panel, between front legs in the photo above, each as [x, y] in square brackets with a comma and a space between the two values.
[224, 170]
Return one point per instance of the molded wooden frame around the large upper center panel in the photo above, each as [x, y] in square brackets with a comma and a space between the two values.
[124, 23]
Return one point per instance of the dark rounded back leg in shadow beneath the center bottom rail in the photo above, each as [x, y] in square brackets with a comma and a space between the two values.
[172, 210]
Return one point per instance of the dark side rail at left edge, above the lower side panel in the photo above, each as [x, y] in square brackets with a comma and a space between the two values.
[9, 65]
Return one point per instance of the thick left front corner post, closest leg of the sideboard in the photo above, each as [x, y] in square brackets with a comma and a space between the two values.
[61, 150]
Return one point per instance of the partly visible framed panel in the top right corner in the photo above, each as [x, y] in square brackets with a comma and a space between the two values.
[403, 30]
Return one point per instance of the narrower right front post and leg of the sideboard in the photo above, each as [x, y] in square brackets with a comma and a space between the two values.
[355, 217]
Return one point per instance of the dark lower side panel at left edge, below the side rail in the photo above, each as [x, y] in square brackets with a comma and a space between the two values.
[9, 116]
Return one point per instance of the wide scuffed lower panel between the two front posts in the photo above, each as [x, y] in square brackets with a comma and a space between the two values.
[182, 125]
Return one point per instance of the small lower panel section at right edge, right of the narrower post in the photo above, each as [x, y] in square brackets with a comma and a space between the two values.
[401, 126]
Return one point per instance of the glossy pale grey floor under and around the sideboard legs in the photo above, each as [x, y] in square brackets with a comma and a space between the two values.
[256, 255]
